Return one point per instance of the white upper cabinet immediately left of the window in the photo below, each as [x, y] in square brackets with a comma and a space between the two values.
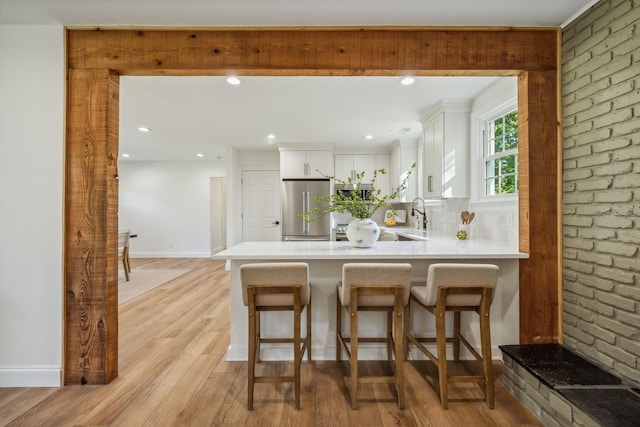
[446, 149]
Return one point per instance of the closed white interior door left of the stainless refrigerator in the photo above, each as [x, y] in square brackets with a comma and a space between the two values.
[261, 206]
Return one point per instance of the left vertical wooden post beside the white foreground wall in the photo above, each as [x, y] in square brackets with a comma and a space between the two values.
[91, 228]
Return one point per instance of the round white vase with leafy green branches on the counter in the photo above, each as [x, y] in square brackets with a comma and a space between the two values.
[362, 231]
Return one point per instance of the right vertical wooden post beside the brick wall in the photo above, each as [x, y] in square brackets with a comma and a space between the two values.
[538, 172]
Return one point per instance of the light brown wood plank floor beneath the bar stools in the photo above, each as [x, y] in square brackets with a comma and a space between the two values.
[173, 340]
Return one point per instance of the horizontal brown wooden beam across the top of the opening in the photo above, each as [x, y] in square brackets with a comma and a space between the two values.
[363, 51]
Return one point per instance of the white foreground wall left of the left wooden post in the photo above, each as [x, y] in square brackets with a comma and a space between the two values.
[31, 196]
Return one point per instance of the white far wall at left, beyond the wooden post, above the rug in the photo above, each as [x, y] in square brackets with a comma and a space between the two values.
[167, 204]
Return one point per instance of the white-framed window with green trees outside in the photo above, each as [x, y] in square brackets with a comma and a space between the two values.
[500, 155]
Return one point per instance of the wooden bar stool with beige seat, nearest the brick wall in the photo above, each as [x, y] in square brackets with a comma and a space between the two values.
[456, 288]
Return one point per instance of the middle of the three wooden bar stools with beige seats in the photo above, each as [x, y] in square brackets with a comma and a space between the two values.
[373, 287]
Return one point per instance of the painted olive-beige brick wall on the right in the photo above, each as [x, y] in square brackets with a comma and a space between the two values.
[601, 186]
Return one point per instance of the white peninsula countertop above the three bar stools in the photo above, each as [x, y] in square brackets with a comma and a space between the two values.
[434, 248]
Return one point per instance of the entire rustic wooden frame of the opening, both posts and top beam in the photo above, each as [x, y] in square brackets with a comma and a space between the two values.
[97, 57]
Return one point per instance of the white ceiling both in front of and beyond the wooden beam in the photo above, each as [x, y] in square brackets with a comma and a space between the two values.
[190, 115]
